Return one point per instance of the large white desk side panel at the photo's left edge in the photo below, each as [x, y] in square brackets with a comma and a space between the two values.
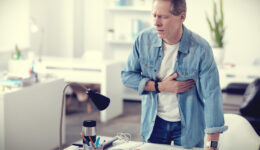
[29, 117]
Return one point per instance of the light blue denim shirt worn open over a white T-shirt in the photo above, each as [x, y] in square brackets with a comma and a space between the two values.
[200, 107]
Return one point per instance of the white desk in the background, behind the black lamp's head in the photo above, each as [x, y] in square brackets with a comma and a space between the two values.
[105, 73]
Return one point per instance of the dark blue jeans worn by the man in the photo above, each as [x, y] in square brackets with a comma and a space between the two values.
[164, 132]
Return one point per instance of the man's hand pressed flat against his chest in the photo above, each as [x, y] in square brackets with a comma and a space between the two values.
[173, 86]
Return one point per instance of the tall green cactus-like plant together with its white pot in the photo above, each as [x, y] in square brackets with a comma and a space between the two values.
[217, 32]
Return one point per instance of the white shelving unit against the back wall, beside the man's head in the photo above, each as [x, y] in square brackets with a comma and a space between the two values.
[125, 22]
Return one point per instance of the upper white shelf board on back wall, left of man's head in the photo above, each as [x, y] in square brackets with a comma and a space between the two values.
[130, 8]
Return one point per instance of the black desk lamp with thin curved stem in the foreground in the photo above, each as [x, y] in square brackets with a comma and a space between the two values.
[100, 101]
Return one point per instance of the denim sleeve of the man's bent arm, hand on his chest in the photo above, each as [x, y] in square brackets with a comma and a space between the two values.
[131, 75]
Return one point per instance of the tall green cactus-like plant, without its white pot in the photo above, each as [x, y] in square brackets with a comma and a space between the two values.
[217, 28]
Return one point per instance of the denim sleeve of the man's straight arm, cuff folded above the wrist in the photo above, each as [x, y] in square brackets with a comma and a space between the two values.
[209, 89]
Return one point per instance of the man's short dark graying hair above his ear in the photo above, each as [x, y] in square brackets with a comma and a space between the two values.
[178, 6]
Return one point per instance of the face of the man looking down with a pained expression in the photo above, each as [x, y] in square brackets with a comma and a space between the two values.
[167, 25]
